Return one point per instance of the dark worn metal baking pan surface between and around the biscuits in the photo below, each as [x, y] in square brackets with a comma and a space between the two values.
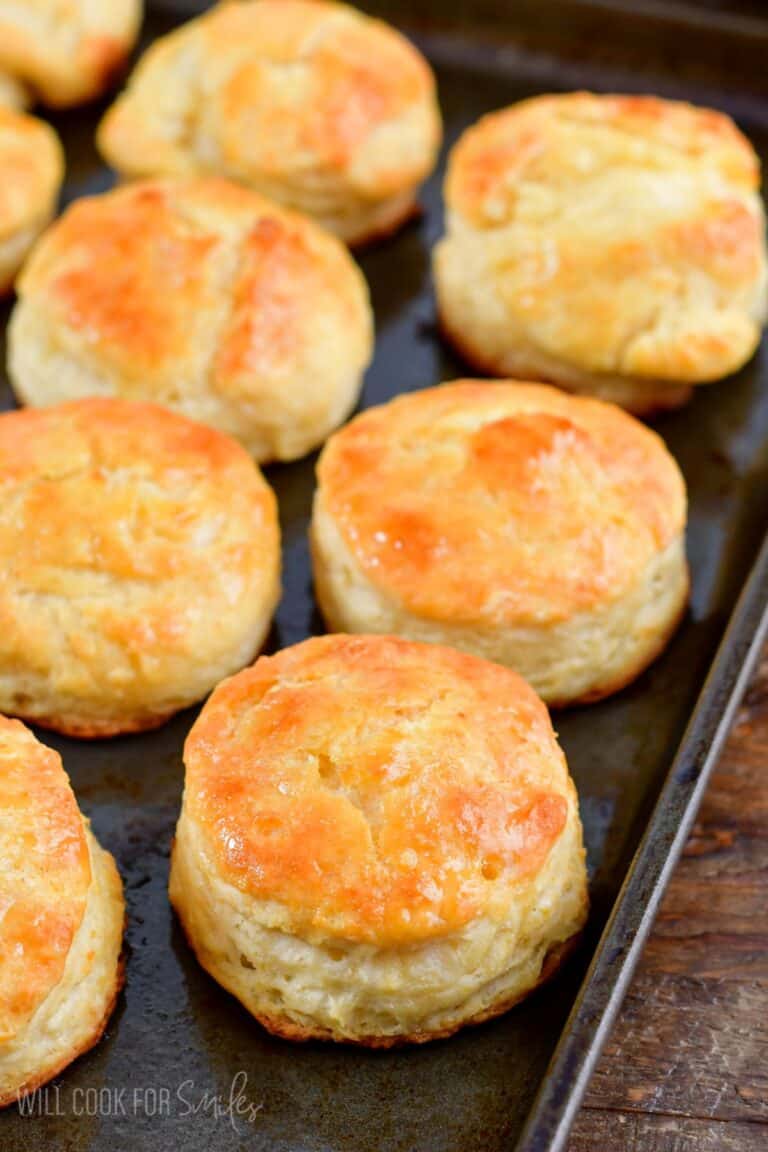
[178, 1041]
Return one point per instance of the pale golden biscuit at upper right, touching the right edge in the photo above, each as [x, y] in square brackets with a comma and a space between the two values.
[614, 246]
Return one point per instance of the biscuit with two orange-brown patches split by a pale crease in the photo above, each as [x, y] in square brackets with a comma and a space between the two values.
[203, 297]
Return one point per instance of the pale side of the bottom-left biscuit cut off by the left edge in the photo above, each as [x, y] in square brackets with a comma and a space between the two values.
[75, 1014]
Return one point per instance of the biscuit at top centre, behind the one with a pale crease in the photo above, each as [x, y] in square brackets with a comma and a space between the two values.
[309, 103]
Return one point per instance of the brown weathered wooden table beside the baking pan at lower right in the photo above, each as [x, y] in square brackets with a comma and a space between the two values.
[687, 1068]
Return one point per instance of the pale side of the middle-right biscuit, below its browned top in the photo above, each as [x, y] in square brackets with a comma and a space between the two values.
[582, 660]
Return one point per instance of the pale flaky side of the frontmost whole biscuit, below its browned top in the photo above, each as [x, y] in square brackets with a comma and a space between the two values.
[359, 994]
